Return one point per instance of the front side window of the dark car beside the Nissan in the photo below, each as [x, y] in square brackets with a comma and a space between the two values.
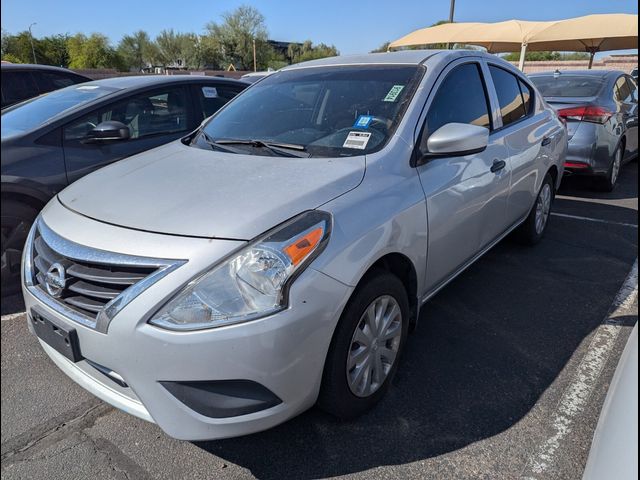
[152, 113]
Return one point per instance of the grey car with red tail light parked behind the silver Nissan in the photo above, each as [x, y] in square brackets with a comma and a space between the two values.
[601, 111]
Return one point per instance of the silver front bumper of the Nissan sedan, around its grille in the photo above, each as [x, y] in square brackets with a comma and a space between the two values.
[284, 353]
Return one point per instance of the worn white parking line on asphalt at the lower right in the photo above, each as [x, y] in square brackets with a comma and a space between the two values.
[576, 395]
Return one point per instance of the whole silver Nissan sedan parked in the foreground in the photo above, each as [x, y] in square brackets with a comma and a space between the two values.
[279, 255]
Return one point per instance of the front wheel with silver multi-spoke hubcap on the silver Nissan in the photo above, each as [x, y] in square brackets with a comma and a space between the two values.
[340, 393]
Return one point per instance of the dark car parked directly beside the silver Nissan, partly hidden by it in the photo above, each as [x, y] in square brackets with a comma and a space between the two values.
[50, 141]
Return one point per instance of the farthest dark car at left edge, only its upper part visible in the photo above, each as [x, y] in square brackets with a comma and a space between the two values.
[21, 81]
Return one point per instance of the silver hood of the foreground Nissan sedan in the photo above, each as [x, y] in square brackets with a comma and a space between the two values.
[182, 190]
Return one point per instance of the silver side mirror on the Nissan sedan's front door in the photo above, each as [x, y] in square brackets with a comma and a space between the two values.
[457, 139]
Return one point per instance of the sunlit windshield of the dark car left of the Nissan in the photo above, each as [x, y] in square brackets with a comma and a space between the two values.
[29, 115]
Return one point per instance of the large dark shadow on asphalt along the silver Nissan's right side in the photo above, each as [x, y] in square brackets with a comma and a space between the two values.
[485, 349]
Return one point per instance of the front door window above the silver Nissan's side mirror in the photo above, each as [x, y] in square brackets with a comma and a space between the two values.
[461, 98]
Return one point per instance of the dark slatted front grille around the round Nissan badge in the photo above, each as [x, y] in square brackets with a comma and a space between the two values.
[87, 286]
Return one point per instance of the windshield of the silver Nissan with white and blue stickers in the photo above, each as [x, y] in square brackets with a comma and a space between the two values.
[325, 111]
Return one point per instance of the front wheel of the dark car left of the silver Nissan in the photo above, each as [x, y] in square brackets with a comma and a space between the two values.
[16, 221]
